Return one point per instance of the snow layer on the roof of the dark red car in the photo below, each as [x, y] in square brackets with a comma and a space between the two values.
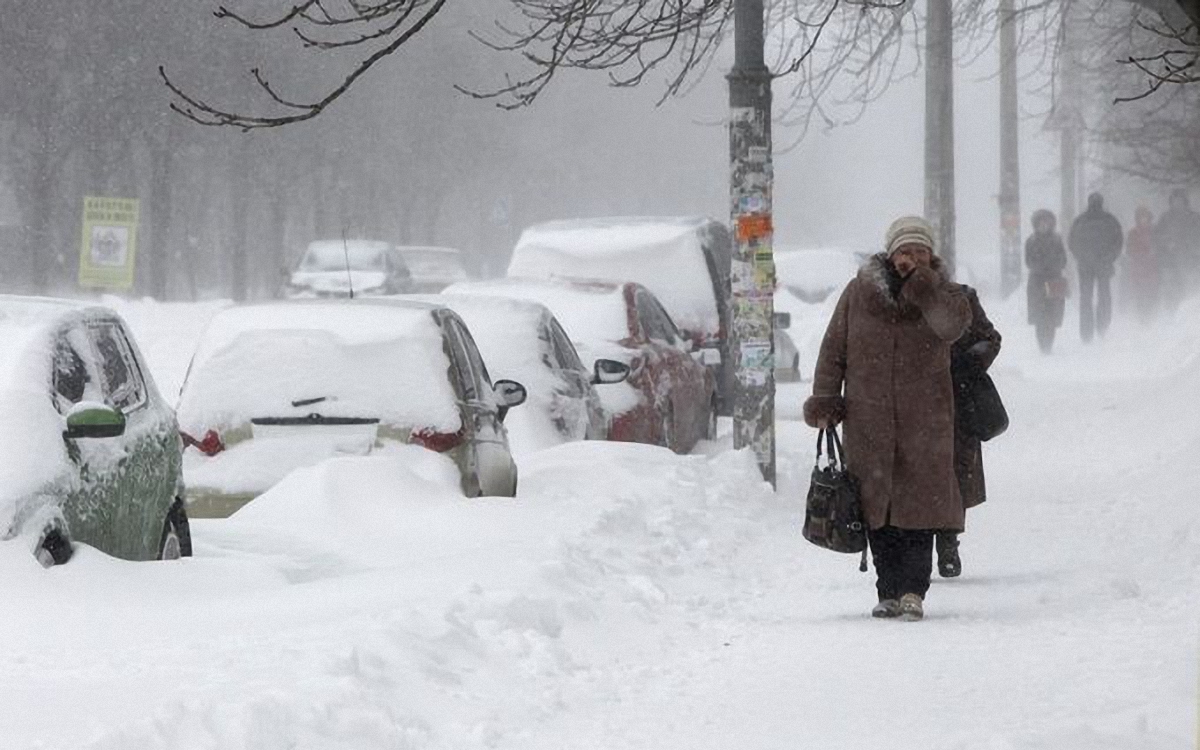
[590, 311]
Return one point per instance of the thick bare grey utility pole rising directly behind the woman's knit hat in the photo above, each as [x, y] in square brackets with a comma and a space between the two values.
[940, 127]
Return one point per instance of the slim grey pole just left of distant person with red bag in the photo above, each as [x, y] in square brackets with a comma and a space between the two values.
[1010, 155]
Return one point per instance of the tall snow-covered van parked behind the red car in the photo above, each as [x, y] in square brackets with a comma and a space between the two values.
[683, 261]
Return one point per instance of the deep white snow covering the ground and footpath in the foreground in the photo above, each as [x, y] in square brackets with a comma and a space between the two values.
[635, 599]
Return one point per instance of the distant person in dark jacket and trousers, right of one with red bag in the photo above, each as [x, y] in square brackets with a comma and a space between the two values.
[1096, 241]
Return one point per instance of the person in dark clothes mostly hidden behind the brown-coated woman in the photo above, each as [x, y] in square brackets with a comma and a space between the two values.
[971, 357]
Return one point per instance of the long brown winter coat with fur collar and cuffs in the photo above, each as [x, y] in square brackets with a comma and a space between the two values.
[885, 369]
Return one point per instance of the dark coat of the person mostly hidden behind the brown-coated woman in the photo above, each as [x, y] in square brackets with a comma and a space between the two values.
[971, 356]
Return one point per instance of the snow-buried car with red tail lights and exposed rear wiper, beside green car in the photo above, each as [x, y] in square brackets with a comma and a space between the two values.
[273, 388]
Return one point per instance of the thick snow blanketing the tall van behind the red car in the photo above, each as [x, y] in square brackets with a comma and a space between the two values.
[665, 255]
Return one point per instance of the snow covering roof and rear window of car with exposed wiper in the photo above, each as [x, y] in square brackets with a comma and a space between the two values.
[362, 358]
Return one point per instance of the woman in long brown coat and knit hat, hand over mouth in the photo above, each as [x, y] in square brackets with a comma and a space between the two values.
[885, 371]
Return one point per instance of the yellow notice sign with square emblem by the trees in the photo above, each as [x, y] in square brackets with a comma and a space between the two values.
[110, 243]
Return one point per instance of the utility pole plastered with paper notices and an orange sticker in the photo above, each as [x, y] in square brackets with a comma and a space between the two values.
[753, 273]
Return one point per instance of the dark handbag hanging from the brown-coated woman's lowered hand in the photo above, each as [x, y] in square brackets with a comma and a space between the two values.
[833, 517]
